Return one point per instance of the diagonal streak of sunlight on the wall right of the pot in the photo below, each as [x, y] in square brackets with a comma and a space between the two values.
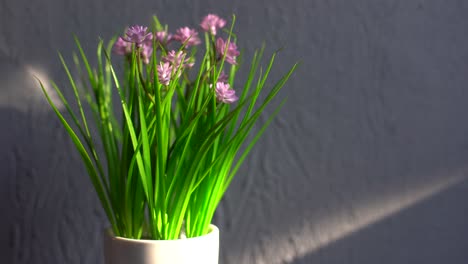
[316, 234]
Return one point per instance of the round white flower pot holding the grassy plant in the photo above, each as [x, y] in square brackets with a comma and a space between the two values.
[197, 250]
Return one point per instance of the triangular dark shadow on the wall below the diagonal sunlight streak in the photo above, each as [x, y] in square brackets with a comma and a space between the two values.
[423, 233]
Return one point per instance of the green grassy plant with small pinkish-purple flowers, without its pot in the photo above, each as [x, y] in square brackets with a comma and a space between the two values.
[162, 158]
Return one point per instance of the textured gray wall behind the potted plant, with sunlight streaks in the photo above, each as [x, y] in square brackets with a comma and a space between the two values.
[367, 163]
